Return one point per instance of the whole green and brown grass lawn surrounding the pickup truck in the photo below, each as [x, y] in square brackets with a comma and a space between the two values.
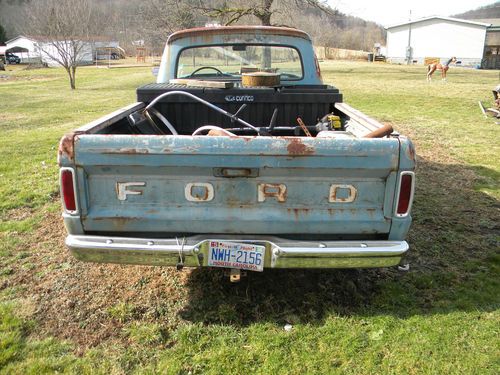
[441, 317]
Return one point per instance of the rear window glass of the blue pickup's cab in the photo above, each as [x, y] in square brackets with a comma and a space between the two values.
[230, 61]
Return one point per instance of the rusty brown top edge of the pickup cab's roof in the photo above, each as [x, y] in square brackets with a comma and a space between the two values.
[207, 33]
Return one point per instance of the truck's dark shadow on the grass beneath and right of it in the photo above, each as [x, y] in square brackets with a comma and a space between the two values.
[452, 259]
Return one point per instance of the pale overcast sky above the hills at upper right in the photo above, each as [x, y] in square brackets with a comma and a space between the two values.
[388, 12]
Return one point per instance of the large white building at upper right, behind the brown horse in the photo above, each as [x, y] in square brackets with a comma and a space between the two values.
[437, 37]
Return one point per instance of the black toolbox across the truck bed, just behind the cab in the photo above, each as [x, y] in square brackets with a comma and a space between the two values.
[310, 103]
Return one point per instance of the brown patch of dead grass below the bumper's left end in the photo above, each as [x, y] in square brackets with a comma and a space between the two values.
[89, 303]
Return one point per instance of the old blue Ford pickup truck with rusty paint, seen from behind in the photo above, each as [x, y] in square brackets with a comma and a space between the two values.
[239, 157]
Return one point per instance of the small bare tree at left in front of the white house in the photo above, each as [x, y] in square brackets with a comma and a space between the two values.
[65, 31]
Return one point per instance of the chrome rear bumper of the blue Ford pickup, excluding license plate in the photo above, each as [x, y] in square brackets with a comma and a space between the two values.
[280, 253]
